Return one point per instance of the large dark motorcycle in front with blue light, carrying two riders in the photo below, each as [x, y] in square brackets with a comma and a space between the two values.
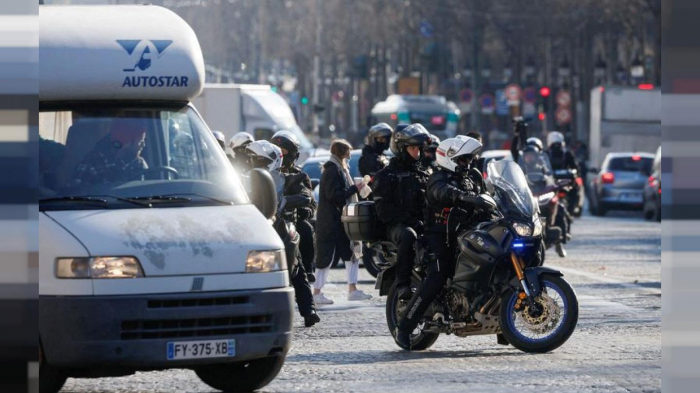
[499, 284]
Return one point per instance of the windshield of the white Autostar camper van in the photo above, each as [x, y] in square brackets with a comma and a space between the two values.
[127, 157]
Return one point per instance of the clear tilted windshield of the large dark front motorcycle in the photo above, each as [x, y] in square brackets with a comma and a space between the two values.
[512, 192]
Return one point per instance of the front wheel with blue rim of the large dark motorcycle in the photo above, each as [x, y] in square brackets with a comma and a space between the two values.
[553, 287]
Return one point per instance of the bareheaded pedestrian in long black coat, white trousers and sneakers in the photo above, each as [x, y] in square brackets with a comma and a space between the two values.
[336, 189]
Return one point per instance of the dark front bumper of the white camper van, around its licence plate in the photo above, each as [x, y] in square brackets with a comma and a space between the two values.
[134, 331]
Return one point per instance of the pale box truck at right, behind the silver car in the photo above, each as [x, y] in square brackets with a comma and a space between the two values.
[624, 119]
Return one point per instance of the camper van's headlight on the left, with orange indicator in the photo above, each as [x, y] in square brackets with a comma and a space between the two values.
[98, 267]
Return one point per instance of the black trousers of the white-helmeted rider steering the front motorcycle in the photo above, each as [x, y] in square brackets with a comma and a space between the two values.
[441, 268]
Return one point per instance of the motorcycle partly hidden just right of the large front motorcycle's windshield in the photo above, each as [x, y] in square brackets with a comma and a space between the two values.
[547, 191]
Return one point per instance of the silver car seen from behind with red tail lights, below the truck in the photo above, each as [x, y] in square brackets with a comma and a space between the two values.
[619, 185]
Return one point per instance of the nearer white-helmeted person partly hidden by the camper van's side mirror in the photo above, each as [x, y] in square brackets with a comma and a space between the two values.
[267, 156]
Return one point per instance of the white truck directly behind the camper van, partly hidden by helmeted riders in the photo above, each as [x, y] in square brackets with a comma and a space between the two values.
[256, 109]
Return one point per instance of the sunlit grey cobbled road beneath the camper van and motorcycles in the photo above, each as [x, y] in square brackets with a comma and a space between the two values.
[614, 264]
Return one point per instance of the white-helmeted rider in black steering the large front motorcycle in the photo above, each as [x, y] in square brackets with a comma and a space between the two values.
[448, 187]
